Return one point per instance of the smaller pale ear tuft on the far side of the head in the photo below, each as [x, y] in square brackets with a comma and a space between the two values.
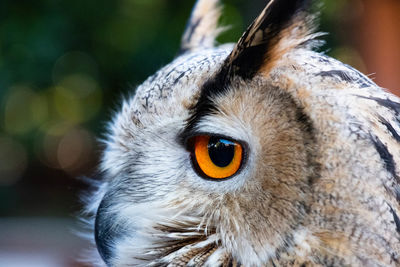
[202, 27]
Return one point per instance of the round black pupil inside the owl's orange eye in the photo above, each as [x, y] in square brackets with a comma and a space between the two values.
[221, 151]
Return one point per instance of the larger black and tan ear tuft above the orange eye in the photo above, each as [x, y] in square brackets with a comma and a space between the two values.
[282, 26]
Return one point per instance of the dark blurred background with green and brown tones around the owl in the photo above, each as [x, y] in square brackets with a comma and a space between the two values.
[64, 66]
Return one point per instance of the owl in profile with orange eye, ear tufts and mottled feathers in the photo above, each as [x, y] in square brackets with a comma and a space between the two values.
[259, 153]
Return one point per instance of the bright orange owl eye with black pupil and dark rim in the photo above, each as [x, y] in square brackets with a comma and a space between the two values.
[215, 157]
